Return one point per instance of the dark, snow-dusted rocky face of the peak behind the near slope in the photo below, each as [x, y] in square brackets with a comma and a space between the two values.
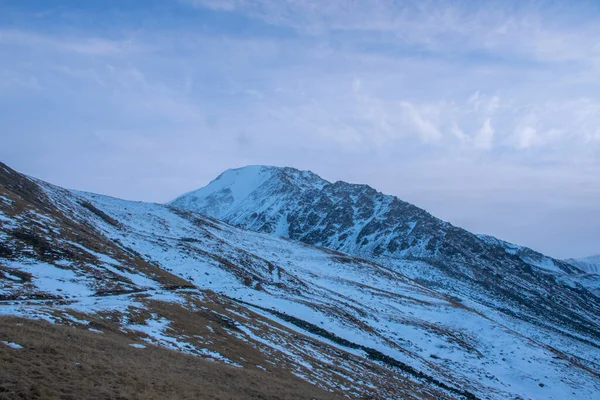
[359, 220]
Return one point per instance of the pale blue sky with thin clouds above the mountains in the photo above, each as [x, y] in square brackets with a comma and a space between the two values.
[484, 113]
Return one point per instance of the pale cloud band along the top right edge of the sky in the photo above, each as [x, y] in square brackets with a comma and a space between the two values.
[527, 30]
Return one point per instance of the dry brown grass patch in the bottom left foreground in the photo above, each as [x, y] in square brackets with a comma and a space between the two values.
[63, 362]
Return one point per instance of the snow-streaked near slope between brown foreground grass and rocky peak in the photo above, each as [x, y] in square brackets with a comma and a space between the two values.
[188, 282]
